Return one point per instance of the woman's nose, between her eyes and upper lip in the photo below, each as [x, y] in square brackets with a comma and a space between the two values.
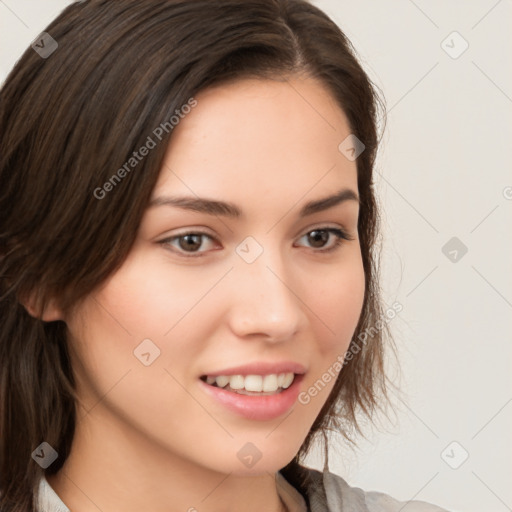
[264, 301]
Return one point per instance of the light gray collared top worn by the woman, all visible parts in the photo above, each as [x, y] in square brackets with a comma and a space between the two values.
[328, 493]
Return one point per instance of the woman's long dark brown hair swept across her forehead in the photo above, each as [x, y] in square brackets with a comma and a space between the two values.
[71, 118]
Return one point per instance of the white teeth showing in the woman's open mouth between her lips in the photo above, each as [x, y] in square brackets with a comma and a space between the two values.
[252, 385]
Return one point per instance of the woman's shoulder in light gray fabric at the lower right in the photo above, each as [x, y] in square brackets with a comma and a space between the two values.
[329, 492]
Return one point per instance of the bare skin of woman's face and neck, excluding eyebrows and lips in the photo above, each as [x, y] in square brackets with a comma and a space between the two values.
[148, 437]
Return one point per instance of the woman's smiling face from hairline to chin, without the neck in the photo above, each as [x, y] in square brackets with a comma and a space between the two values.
[267, 286]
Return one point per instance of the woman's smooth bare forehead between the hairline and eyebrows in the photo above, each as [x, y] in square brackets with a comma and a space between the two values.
[258, 136]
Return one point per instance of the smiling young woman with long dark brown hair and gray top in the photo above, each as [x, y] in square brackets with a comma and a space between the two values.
[188, 275]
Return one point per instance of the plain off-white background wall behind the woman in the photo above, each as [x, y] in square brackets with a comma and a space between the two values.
[443, 172]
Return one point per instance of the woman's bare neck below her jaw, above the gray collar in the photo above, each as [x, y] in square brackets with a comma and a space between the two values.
[112, 470]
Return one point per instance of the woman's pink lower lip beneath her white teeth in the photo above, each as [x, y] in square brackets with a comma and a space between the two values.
[253, 407]
